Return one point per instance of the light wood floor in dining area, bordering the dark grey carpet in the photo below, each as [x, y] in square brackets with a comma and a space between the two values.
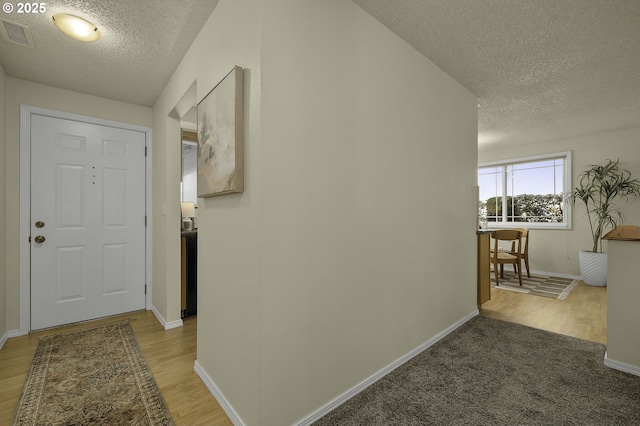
[582, 314]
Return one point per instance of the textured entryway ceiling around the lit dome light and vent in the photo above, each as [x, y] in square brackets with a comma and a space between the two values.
[142, 43]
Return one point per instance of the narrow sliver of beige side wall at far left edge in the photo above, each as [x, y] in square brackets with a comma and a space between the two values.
[3, 206]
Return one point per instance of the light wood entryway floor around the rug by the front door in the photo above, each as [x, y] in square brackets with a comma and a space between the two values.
[170, 355]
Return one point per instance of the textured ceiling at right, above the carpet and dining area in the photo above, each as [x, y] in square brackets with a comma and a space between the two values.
[542, 70]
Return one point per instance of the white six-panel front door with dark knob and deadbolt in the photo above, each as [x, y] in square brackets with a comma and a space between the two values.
[87, 221]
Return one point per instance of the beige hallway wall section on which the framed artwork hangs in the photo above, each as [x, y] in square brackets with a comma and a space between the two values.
[228, 241]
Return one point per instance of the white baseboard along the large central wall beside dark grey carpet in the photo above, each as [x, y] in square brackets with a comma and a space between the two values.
[331, 405]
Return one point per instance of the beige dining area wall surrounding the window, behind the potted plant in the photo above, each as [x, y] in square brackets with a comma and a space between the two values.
[557, 250]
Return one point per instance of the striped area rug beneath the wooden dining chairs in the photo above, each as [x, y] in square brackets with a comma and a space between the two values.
[538, 285]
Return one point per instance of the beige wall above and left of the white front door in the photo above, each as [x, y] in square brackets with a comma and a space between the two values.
[22, 92]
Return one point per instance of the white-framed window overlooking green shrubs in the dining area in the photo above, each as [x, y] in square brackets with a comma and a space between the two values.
[527, 190]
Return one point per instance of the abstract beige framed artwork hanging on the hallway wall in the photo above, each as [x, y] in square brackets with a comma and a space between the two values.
[220, 156]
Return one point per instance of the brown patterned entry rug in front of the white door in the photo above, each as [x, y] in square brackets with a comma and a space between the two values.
[97, 376]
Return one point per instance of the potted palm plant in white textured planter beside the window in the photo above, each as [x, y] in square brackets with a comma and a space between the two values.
[599, 187]
